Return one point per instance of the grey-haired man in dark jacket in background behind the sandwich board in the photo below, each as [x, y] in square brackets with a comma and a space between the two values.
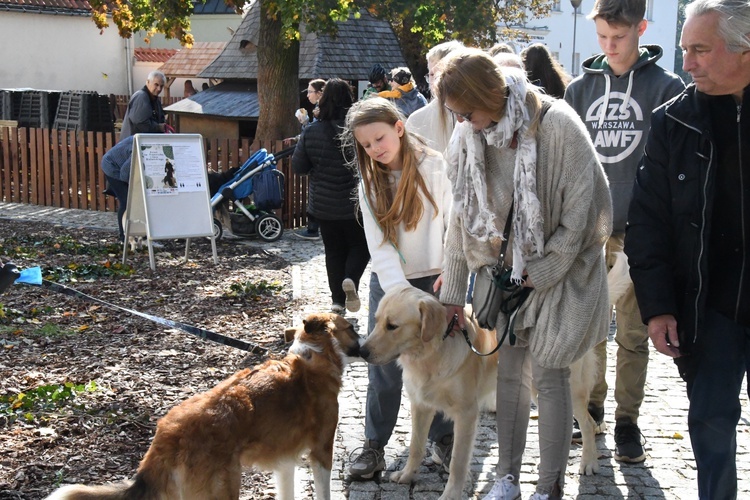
[144, 113]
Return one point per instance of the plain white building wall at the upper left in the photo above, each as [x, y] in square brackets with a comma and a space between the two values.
[58, 52]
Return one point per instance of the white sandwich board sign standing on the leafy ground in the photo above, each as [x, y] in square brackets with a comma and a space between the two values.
[168, 194]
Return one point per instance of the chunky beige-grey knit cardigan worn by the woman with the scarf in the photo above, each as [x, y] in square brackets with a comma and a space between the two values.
[568, 311]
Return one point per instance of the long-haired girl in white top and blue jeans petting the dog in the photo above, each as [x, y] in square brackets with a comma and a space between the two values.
[404, 195]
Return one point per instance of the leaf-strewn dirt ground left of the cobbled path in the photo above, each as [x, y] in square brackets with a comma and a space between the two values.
[83, 384]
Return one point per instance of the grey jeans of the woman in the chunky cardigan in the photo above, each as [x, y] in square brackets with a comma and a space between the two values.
[516, 369]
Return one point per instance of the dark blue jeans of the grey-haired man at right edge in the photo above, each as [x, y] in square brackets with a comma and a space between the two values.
[722, 358]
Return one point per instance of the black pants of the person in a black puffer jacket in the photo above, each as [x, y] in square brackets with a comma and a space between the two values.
[346, 254]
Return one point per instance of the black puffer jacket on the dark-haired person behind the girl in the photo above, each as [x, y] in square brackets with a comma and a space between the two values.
[332, 192]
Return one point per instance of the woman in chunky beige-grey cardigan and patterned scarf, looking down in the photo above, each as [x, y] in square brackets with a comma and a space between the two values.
[511, 150]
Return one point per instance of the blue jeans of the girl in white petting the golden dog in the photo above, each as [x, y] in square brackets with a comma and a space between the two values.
[384, 388]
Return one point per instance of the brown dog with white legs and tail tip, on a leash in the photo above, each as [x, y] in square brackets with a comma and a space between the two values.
[266, 417]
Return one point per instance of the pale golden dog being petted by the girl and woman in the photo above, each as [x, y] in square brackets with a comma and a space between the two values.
[439, 374]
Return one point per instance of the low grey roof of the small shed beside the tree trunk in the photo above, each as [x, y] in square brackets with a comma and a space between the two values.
[226, 100]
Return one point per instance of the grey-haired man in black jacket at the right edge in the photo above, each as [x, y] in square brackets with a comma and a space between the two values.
[688, 235]
